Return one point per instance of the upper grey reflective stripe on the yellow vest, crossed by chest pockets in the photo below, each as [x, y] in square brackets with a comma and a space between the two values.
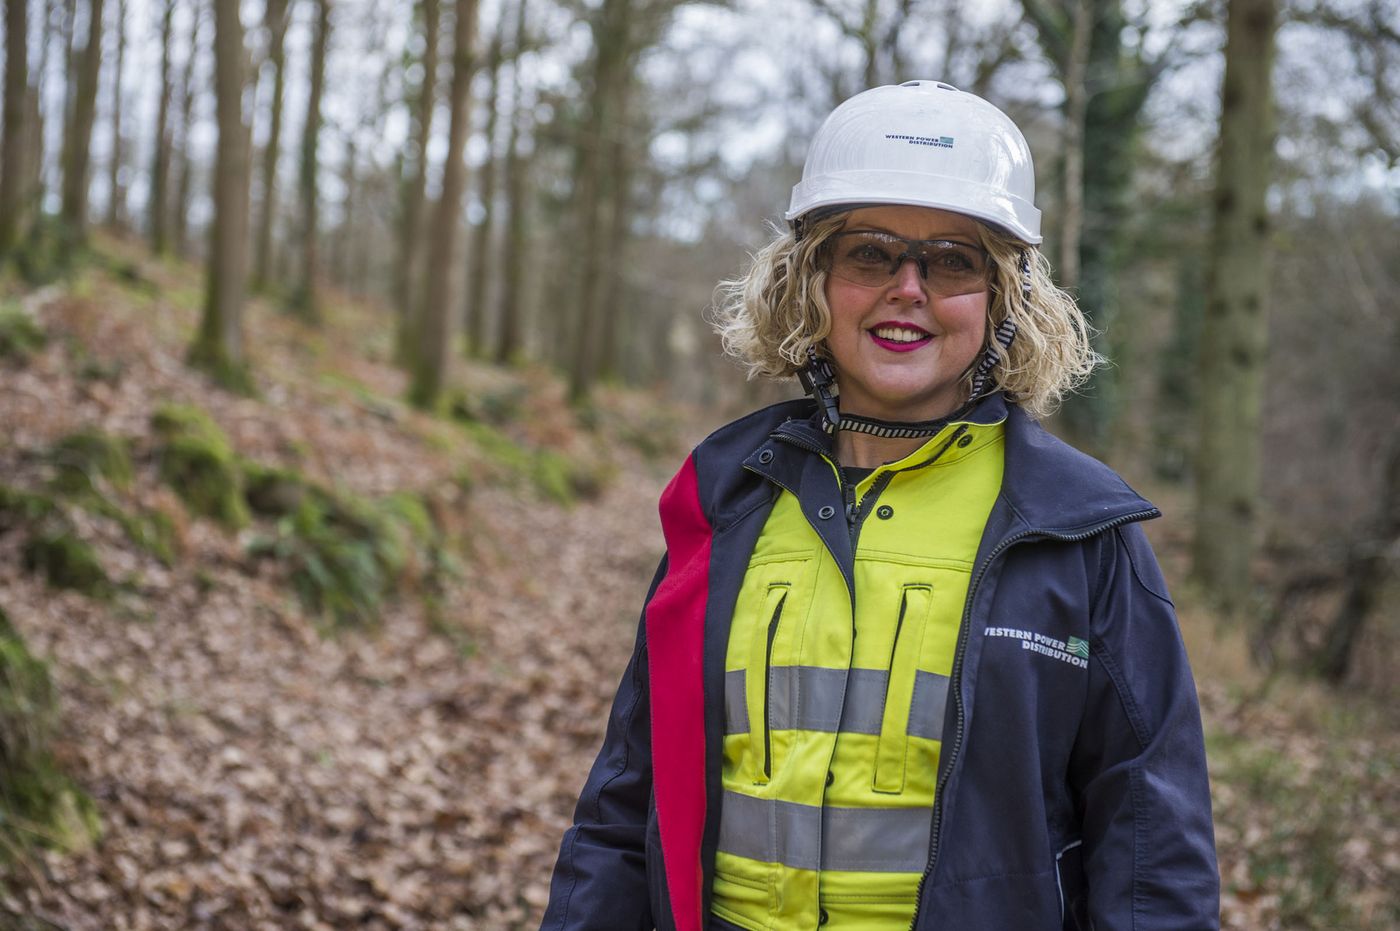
[815, 694]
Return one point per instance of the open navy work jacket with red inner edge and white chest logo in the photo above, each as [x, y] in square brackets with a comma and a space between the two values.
[1070, 796]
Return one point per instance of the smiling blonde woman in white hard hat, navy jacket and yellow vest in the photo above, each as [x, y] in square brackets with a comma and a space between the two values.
[909, 661]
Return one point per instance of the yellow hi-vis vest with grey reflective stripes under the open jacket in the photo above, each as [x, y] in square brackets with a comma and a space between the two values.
[834, 729]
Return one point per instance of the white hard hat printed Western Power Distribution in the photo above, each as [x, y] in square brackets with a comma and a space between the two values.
[923, 143]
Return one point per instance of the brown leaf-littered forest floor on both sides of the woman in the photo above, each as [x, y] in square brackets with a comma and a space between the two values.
[255, 768]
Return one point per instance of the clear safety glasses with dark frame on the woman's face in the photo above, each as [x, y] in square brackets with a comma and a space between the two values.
[873, 260]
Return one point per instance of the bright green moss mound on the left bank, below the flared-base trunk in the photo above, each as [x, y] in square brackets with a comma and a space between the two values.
[195, 460]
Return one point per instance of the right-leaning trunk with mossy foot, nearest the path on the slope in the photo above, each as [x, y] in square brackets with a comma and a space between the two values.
[436, 331]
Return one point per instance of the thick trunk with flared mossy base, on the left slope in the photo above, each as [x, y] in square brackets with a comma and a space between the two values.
[219, 346]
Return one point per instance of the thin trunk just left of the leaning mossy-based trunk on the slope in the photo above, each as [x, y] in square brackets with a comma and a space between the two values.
[416, 157]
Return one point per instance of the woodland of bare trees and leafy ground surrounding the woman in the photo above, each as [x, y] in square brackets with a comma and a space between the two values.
[346, 346]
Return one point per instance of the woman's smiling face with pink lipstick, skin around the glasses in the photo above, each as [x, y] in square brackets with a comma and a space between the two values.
[899, 349]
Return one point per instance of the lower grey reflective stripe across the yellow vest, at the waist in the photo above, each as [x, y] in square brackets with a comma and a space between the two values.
[810, 838]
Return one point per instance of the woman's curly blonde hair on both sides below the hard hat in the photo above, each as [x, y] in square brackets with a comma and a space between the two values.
[769, 317]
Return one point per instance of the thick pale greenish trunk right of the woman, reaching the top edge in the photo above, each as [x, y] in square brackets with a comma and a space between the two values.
[1235, 327]
